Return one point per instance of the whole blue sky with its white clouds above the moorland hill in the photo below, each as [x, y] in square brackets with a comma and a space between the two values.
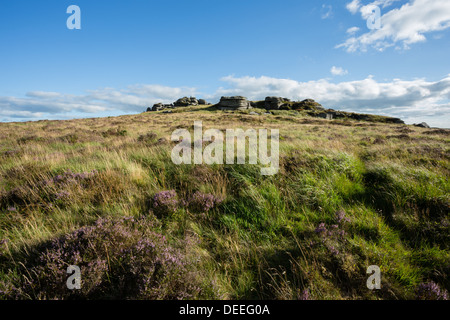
[131, 54]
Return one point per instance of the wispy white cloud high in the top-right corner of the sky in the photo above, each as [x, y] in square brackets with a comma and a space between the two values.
[405, 25]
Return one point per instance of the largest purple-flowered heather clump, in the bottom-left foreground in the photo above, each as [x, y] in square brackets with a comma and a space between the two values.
[119, 258]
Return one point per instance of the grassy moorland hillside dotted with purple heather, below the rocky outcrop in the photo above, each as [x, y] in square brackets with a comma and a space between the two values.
[104, 194]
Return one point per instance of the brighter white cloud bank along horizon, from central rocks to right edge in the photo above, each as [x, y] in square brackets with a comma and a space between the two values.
[412, 100]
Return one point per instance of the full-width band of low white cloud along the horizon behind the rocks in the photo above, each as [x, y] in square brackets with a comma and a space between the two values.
[412, 100]
